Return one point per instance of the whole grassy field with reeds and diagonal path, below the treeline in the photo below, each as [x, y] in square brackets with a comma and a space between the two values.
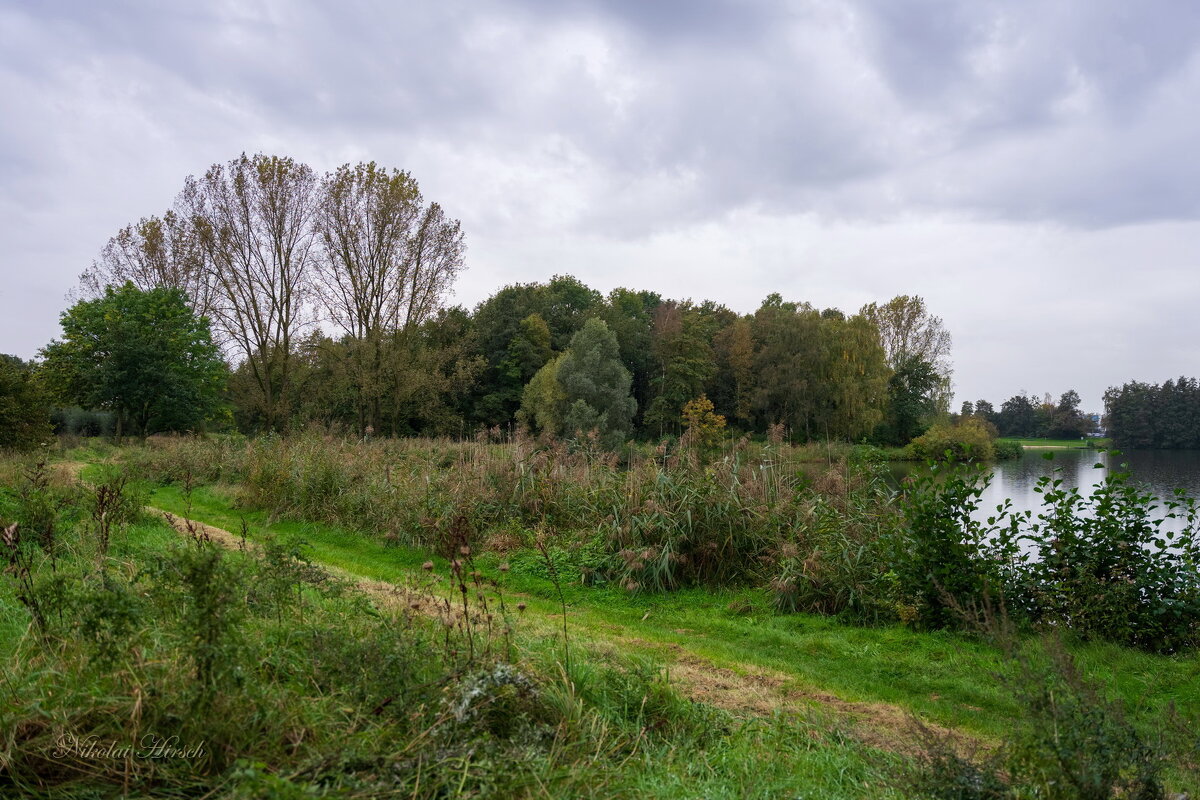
[499, 619]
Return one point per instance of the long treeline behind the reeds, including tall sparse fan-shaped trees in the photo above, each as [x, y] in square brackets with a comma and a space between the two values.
[326, 294]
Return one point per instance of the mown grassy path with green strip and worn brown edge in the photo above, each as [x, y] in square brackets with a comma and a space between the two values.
[729, 649]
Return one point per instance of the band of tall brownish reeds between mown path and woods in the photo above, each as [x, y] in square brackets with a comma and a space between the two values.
[664, 519]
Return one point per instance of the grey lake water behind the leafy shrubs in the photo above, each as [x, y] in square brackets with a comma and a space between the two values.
[1160, 472]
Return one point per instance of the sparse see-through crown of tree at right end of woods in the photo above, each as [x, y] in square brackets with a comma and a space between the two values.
[908, 330]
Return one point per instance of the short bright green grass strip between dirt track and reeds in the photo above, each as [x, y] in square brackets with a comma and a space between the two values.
[947, 678]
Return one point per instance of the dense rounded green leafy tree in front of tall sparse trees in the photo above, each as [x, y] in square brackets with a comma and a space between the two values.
[145, 356]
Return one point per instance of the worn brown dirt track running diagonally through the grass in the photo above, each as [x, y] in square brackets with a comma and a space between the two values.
[747, 690]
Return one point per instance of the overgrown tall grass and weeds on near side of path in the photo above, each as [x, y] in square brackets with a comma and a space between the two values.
[181, 669]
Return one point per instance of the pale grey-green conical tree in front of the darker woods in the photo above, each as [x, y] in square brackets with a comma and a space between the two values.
[597, 387]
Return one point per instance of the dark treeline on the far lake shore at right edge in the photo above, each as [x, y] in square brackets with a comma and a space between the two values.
[1159, 417]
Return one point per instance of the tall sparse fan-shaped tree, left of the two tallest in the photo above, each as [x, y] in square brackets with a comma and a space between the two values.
[255, 220]
